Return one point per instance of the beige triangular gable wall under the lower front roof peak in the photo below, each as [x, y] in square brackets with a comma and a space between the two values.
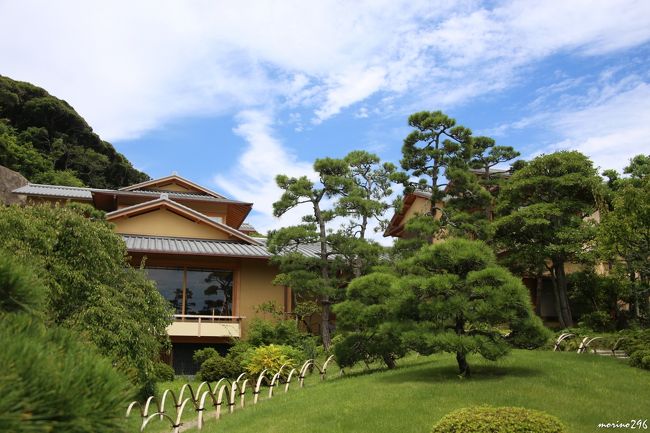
[165, 223]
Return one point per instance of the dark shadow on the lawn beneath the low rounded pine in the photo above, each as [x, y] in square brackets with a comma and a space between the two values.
[442, 373]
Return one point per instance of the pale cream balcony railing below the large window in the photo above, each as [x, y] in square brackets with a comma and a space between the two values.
[202, 325]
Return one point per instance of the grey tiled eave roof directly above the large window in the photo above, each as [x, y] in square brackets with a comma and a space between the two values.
[169, 245]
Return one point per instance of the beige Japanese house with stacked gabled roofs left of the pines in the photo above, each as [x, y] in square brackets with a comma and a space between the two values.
[196, 245]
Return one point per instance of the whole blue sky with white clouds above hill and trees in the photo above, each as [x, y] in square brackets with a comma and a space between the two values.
[230, 94]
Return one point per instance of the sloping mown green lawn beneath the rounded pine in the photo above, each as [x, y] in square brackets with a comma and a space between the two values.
[581, 390]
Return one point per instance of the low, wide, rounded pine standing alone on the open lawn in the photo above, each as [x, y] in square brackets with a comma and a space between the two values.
[458, 300]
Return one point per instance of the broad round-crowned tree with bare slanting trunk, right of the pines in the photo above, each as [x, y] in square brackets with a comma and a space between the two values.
[546, 203]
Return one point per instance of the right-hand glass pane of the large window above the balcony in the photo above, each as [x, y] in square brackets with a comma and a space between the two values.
[209, 292]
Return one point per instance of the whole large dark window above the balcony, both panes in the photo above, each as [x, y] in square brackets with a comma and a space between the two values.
[194, 291]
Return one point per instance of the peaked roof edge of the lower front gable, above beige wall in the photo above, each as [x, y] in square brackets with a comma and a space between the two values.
[165, 202]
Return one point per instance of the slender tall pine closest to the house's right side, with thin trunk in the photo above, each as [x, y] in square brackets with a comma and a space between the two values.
[333, 177]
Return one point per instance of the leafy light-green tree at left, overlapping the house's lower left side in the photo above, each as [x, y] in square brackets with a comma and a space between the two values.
[91, 289]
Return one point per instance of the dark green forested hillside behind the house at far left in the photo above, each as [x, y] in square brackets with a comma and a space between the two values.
[44, 139]
